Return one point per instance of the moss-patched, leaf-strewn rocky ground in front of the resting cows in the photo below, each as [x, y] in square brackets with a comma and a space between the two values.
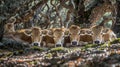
[17, 54]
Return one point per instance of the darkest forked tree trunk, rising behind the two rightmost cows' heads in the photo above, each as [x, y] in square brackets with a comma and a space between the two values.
[81, 16]
